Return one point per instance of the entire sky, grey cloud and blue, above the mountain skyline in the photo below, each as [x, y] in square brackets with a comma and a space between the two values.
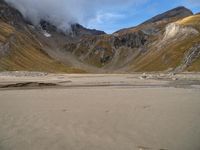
[106, 15]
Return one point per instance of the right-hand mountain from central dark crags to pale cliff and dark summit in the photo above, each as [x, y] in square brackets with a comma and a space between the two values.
[158, 44]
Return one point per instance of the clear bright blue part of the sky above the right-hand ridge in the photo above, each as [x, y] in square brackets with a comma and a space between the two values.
[112, 17]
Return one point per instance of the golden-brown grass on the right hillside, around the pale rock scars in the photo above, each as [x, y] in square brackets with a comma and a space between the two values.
[170, 55]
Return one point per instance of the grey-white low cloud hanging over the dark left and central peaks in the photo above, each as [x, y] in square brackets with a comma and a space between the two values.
[63, 13]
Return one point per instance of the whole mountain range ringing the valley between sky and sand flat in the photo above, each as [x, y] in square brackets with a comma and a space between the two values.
[167, 42]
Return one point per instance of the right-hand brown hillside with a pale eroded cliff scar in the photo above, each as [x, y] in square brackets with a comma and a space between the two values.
[177, 49]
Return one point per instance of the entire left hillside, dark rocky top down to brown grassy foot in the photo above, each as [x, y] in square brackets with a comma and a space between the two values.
[20, 49]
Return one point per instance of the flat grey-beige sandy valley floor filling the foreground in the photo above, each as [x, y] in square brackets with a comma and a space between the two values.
[40, 111]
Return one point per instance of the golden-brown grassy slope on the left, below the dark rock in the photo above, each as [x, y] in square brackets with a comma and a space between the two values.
[26, 54]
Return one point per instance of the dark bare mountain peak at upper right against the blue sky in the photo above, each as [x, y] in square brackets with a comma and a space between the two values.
[178, 12]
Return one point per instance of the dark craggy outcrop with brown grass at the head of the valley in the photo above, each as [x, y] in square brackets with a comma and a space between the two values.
[101, 50]
